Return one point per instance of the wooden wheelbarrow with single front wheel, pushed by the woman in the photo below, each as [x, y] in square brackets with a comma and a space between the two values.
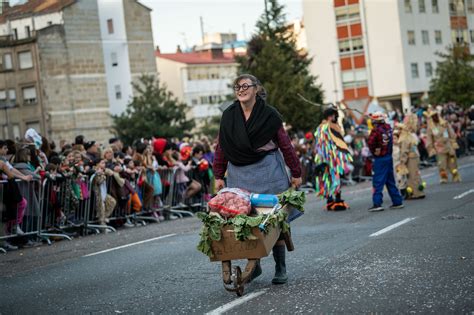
[228, 249]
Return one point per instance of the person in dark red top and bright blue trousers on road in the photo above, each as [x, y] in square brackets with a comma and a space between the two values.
[381, 146]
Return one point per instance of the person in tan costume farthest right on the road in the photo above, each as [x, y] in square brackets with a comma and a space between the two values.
[441, 141]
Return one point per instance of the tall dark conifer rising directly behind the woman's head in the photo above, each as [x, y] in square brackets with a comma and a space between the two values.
[283, 70]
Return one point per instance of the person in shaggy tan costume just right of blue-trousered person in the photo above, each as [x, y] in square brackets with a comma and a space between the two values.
[410, 158]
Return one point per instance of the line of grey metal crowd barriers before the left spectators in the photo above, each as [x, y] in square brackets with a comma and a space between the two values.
[58, 204]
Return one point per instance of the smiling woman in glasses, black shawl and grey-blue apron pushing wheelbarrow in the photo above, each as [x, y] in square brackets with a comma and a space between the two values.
[253, 147]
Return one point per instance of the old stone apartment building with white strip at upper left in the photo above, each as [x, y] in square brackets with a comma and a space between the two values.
[67, 65]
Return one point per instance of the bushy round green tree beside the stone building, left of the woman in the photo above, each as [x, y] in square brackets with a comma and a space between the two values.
[152, 112]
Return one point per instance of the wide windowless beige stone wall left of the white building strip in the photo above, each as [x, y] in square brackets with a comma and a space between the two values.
[73, 75]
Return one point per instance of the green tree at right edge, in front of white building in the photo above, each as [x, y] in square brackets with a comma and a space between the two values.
[454, 77]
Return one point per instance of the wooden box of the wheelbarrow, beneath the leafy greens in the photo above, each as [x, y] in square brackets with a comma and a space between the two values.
[228, 248]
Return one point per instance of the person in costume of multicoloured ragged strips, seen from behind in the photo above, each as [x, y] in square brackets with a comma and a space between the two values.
[332, 158]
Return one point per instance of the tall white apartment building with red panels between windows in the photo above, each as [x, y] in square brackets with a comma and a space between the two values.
[372, 51]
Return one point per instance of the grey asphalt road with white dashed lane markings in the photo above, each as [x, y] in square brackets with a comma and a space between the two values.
[344, 262]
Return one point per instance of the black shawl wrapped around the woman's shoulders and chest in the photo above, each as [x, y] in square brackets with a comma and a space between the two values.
[240, 139]
